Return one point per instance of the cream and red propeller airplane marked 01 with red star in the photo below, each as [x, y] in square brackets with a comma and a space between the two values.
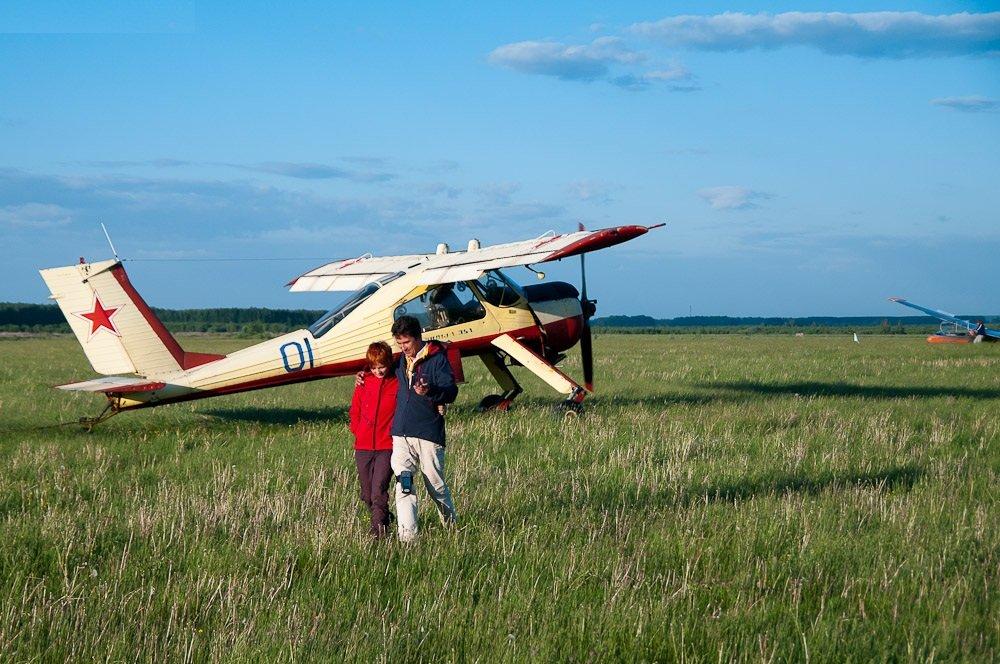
[460, 297]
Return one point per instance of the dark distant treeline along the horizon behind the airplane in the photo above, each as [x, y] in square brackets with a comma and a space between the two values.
[17, 317]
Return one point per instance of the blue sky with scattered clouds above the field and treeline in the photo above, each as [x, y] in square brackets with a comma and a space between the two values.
[808, 159]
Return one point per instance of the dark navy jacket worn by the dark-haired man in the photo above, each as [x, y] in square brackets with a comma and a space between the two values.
[416, 415]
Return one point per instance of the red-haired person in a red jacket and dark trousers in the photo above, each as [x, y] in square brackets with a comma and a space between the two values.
[372, 410]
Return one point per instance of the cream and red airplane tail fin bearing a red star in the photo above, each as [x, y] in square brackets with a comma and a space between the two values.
[117, 329]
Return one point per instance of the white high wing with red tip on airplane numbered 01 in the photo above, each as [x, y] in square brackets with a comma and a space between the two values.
[464, 265]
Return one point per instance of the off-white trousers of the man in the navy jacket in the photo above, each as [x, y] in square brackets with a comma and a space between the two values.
[427, 458]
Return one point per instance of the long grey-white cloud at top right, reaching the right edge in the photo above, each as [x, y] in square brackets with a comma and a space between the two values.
[870, 34]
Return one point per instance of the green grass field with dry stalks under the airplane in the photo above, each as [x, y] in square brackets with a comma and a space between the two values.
[724, 498]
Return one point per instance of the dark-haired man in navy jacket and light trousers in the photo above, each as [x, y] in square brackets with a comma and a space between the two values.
[426, 383]
